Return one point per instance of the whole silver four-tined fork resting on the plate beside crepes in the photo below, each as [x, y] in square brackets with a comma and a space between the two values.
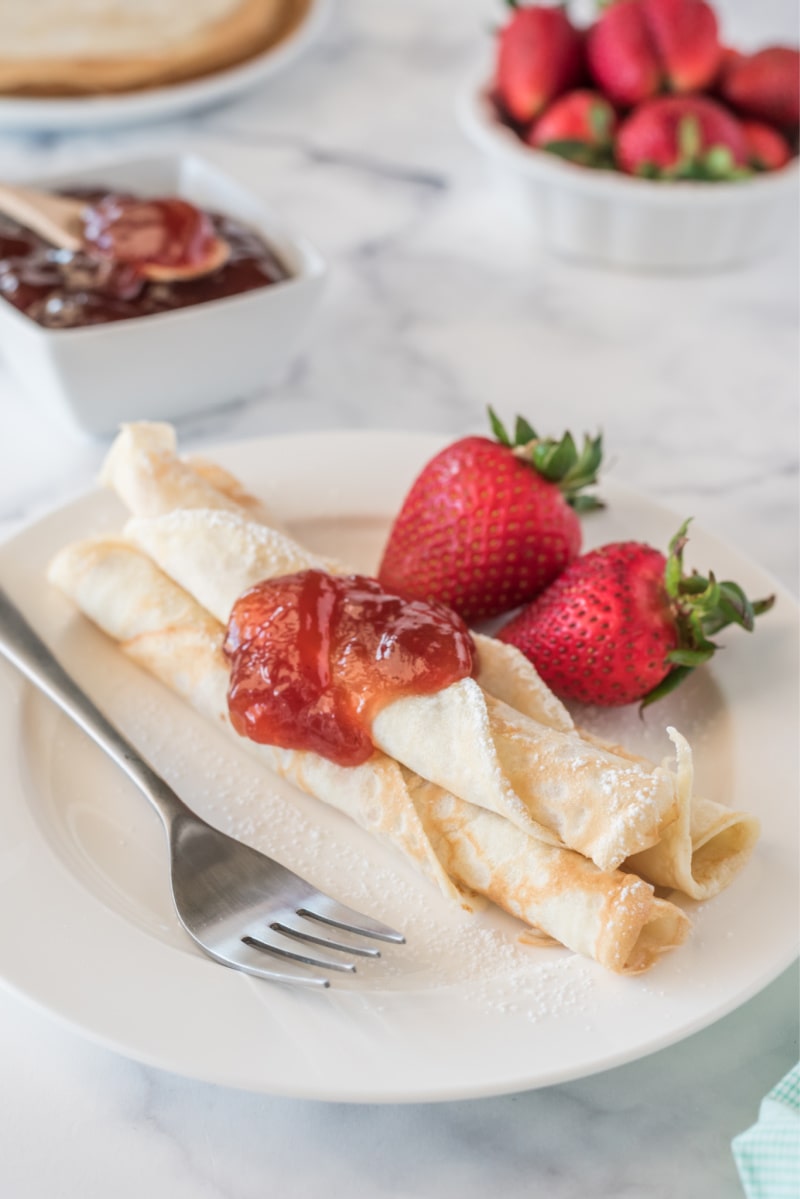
[242, 908]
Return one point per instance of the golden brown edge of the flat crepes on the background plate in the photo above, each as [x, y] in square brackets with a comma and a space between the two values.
[251, 29]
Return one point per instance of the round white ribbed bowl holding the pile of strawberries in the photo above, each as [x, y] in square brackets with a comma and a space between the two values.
[615, 220]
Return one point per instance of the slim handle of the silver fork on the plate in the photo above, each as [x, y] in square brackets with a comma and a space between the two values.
[26, 650]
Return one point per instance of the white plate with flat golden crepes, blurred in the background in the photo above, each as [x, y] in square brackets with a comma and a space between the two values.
[105, 70]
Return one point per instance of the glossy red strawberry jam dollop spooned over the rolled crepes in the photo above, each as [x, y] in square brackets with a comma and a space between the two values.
[316, 656]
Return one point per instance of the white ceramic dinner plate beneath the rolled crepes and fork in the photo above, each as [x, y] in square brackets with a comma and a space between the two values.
[87, 929]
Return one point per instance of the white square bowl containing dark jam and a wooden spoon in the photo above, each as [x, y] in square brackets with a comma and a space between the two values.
[166, 366]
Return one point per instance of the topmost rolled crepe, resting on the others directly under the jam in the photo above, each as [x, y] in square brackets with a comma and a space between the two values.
[551, 784]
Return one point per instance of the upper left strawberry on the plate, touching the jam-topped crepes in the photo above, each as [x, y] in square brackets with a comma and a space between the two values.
[489, 525]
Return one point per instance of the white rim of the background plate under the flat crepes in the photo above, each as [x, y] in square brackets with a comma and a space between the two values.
[21, 113]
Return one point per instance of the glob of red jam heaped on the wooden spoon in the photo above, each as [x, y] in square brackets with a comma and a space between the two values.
[155, 232]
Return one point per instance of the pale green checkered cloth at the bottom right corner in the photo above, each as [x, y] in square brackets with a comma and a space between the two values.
[768, 1155]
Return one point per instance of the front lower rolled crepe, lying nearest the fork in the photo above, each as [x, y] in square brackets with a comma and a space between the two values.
[612, 918]
